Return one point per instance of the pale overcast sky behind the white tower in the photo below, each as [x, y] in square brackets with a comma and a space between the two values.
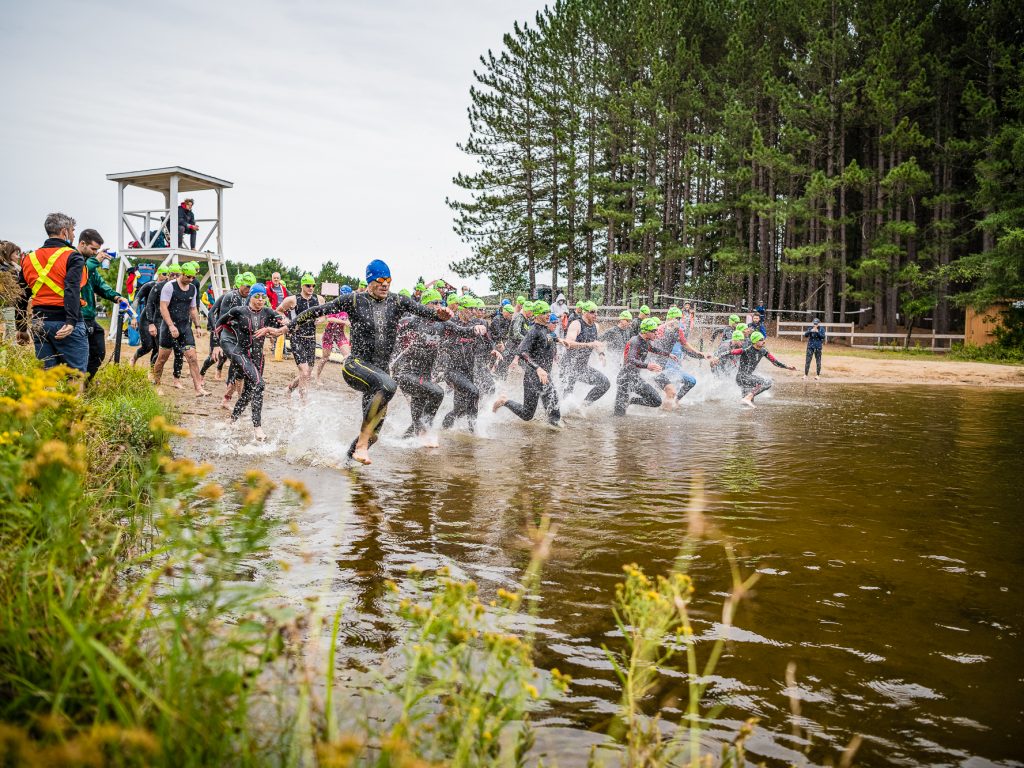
[337, 122]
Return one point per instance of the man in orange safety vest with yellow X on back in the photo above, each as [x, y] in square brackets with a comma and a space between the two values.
[53, 277]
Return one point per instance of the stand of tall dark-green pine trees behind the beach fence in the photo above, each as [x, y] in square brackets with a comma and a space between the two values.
[861, 160]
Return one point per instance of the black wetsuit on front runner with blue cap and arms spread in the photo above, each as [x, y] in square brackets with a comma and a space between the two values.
[375, 327]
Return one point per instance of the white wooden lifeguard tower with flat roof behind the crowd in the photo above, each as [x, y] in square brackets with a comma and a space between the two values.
[156, 230]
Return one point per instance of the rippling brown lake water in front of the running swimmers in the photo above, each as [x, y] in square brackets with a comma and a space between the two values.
[885, 524]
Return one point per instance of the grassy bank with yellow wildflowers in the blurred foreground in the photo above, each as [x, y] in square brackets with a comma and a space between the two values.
[131, 634]
